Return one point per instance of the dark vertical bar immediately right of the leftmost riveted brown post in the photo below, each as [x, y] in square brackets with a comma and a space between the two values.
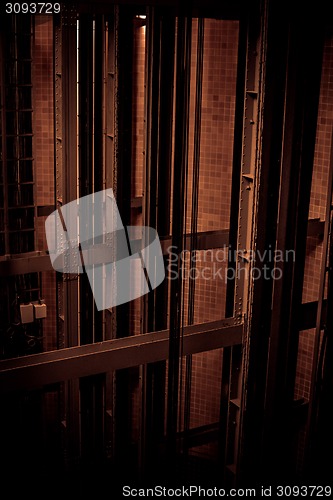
[90, 180]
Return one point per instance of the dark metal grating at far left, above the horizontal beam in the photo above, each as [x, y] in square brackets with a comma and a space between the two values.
[17, 209]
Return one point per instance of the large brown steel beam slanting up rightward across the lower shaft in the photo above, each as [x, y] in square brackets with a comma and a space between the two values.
[38, 370]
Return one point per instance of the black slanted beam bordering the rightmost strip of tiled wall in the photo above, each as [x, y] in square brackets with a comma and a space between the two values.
[298, 147]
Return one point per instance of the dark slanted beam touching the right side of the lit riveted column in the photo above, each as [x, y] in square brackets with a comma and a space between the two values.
[273, 48]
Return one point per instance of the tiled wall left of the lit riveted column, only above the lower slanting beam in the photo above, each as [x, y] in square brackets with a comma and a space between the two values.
[216, 152]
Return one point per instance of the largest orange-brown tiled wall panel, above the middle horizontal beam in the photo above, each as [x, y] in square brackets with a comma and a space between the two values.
[218, 109]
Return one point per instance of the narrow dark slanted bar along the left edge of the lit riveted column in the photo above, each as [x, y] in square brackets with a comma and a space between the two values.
[227, 438]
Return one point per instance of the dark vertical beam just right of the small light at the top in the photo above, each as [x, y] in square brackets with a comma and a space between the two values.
[160, 32]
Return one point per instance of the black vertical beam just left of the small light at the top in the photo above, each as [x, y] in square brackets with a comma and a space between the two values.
[123, 168]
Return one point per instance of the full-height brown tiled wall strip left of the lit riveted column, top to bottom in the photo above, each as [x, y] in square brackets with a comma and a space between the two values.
[216, 152]
